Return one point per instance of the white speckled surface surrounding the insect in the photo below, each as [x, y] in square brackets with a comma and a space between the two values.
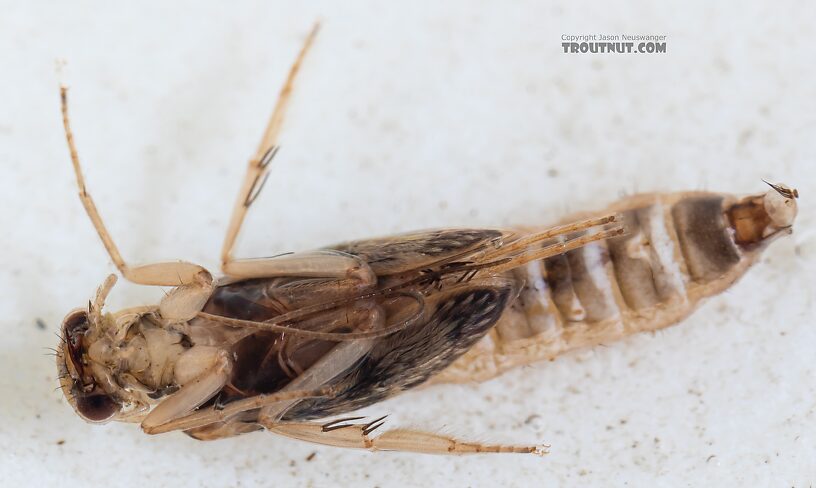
[407, 116]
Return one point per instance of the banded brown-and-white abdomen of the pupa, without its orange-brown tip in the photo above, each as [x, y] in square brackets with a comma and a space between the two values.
[678, 249]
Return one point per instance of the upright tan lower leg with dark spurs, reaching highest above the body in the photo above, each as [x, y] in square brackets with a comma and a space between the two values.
[259, 164]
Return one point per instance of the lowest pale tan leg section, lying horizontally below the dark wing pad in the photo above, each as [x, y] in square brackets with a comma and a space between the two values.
[357, 436]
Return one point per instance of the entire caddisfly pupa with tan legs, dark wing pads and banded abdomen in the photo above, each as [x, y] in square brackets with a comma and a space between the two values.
[287, 343]
